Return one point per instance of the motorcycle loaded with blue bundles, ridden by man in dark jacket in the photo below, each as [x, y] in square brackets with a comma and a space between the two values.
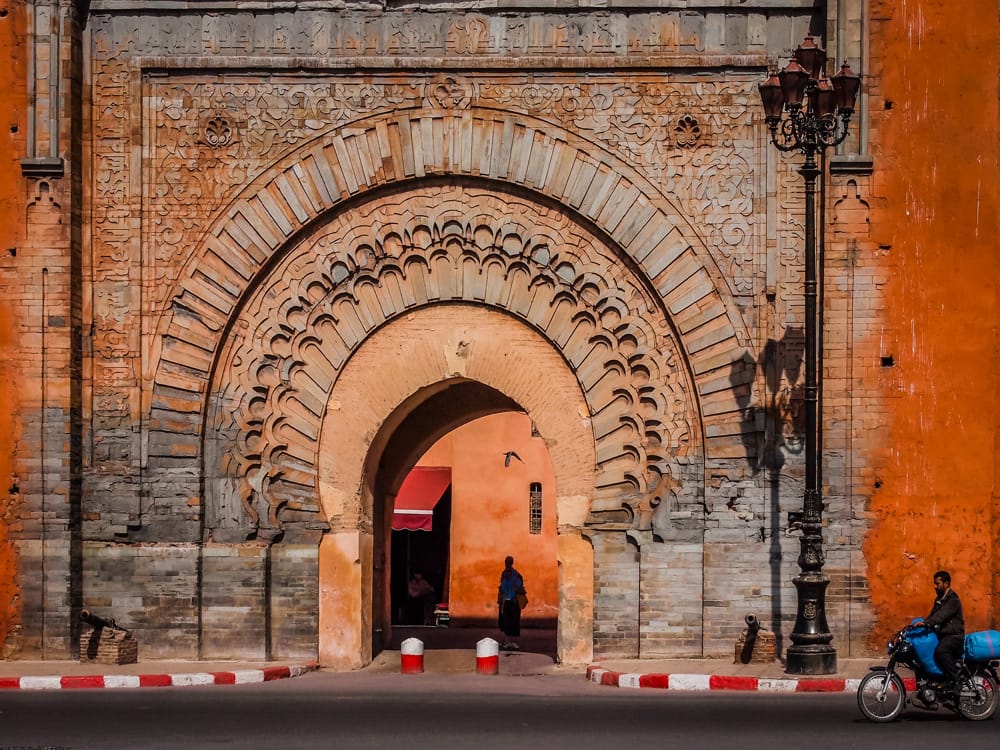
[882, 693]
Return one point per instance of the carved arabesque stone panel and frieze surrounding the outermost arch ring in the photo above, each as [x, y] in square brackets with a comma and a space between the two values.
[206, 137]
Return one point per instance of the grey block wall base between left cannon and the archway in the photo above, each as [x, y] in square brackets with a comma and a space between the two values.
[213, 601]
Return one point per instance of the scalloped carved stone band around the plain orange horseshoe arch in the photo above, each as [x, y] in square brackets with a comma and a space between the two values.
[400, 253]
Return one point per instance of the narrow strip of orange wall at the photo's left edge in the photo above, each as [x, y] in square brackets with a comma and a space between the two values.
[13, 124]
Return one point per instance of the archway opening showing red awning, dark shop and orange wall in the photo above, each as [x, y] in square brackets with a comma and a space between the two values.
[495, 482]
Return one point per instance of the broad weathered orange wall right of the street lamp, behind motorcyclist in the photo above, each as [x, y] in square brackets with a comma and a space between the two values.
[935, 133]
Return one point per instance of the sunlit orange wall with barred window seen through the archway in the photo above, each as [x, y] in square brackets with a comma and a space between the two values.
[490, 515]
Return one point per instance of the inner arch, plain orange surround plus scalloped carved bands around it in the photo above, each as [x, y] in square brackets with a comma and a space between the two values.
[316, 391]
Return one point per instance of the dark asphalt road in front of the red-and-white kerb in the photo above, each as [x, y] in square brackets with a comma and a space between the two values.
[360, 711]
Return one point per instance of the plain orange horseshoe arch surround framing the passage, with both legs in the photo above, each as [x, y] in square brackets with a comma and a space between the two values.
[453, 368]
